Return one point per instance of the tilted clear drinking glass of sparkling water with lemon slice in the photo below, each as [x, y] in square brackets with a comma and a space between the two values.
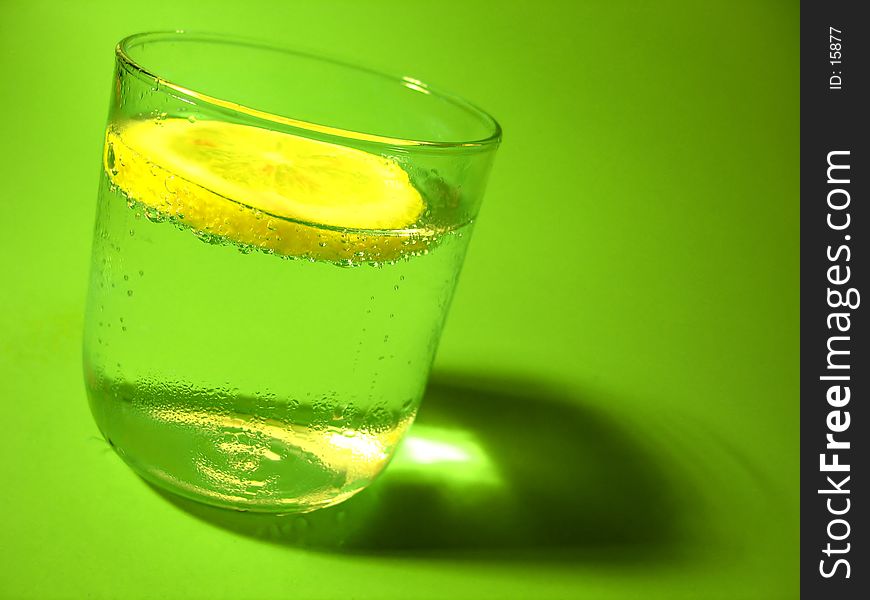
[277, 241]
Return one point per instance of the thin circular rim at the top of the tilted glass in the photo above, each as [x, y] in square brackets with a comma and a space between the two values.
[122, 53]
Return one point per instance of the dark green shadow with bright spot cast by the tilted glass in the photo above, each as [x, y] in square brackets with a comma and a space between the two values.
[495, 467]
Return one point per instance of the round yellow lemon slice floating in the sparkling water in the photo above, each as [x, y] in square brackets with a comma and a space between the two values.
[279, 192]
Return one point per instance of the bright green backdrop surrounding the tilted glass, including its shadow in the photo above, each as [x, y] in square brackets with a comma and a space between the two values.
[624, 337]
